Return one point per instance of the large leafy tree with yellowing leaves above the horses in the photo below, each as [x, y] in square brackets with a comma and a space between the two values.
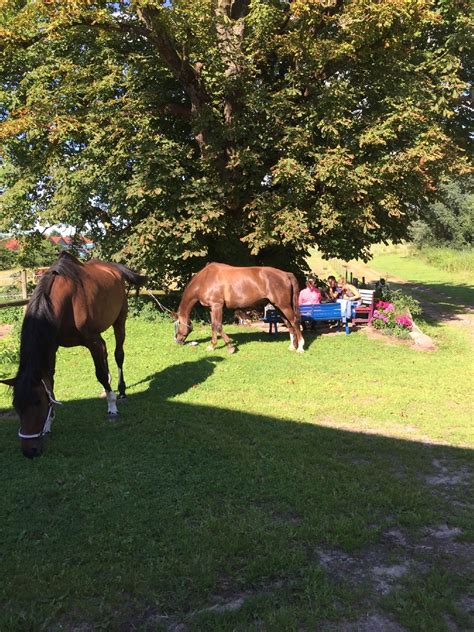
[232, 130]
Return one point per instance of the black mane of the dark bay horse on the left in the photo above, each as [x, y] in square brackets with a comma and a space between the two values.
[39, 331]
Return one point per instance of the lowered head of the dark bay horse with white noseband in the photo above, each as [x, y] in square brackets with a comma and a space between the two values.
[36, 415]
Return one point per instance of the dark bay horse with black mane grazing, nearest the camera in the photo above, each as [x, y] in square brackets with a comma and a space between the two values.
[72, 305]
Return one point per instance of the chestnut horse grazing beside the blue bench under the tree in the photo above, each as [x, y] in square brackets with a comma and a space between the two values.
[219, 285]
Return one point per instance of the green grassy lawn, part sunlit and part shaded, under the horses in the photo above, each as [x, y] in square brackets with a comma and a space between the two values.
[260, 491]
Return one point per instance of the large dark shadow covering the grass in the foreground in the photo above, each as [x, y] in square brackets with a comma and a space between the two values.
[176, 508]
